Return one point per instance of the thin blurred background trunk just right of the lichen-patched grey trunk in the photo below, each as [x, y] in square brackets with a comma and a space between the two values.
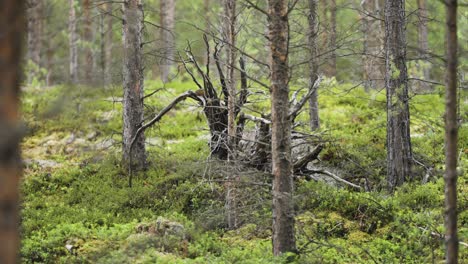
[423, 43]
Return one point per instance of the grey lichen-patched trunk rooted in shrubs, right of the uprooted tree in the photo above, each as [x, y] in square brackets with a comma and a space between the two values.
[399, 154]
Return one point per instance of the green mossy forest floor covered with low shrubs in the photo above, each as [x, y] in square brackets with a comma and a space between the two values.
[77, 206]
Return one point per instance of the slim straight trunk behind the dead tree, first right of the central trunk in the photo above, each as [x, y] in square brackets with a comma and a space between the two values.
[313, 64]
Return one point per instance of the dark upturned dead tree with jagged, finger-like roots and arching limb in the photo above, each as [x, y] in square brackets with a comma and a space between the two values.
[213, 97]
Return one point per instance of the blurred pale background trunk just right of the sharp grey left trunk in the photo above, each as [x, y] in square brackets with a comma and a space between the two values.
[167, 35]
